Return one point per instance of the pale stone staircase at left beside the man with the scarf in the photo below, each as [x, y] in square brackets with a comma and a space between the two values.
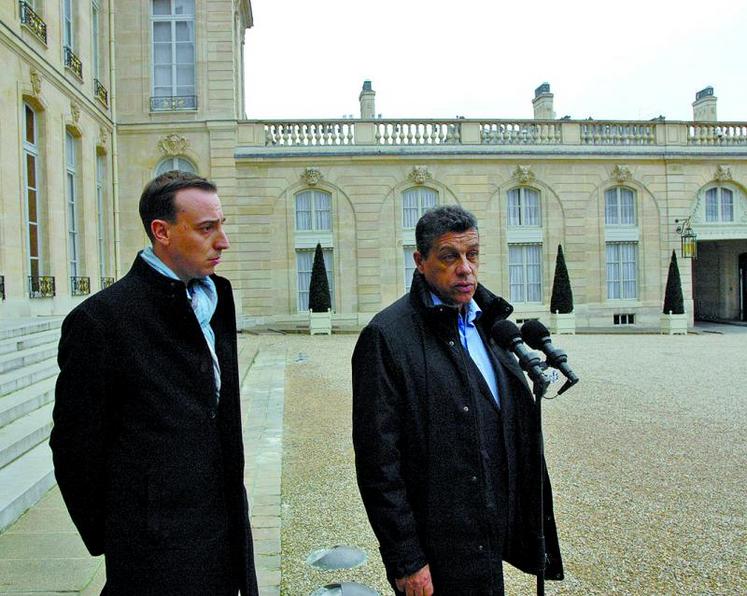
[28, 370]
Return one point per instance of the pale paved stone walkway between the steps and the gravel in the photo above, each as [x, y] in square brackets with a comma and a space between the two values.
[42, 554]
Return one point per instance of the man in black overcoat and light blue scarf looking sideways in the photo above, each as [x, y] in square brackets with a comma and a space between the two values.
[147, 440]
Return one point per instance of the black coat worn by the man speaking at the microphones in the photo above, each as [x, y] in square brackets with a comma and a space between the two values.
[419, 456]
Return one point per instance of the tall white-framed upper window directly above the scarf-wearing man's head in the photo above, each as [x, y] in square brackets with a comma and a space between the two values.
[173, 54]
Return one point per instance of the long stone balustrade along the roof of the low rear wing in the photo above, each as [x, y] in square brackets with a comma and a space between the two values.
[391, 133]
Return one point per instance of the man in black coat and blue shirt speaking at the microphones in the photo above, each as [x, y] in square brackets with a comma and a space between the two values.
[446, 442]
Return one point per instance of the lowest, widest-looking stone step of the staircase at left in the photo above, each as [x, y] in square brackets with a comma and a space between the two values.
[23, 482]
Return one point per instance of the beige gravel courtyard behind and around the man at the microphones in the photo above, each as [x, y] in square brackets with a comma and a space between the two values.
[646, 453]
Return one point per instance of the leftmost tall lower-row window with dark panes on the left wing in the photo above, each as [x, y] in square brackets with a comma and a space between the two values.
[32, 207]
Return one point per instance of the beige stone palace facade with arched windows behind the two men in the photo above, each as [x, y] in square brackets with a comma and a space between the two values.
[611, 192]
